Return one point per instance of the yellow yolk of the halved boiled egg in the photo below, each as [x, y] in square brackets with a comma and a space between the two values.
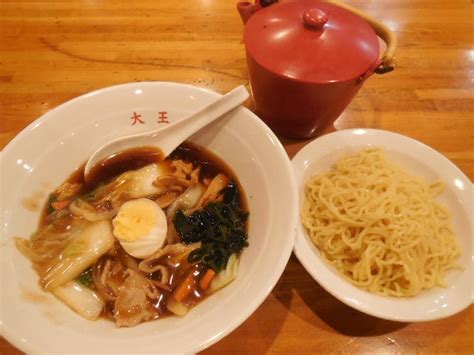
[134, 220]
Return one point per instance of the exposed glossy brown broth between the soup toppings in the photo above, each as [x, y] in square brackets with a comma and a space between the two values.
[134, 159]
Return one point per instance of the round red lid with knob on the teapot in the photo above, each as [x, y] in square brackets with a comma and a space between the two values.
[311, 41]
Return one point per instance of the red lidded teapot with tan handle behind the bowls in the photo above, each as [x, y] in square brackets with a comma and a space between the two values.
[307, 59]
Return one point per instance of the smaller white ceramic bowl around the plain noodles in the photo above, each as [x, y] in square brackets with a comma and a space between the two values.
[421, 160]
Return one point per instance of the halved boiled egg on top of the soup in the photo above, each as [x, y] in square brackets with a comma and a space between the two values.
[140, 227]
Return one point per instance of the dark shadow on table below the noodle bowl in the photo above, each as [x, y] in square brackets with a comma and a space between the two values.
[330, 311]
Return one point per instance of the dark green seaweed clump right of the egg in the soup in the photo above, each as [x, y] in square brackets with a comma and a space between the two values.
[220, 227]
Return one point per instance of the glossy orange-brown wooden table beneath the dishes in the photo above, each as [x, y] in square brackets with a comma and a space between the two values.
[52, 51]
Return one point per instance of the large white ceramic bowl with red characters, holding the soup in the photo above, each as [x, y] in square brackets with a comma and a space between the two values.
[47, 151]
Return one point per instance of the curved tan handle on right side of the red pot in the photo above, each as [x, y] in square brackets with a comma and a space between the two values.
[387, 62]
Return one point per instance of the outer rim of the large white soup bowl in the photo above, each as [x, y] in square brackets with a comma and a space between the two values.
[279, 264]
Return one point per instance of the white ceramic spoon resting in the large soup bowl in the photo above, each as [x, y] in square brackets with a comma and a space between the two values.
[169, 137]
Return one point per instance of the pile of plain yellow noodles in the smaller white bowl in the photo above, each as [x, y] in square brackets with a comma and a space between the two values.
[380, 227]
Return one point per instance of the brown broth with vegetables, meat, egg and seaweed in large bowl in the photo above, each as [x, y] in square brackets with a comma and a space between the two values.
[144, 238]
